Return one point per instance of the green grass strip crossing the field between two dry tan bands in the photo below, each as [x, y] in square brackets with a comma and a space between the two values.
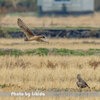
[48, 52]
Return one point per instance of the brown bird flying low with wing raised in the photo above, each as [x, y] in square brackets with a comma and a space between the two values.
[30, 36]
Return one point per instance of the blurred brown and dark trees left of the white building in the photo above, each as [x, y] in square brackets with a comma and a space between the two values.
[18, 5]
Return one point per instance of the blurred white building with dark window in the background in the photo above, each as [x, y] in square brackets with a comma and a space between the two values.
[68, 6]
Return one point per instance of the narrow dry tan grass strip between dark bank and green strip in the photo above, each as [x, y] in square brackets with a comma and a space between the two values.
[53, 43]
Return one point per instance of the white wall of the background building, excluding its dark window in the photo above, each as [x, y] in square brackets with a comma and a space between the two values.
[75, 6]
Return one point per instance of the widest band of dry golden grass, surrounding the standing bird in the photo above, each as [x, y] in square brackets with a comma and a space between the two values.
[28, 73]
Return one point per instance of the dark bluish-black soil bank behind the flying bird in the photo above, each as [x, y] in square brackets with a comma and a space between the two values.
[60, 33]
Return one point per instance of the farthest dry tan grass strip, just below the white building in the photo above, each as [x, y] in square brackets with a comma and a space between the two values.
[92, 20]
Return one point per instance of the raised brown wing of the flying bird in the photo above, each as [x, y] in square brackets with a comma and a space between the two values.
[26, 30]
